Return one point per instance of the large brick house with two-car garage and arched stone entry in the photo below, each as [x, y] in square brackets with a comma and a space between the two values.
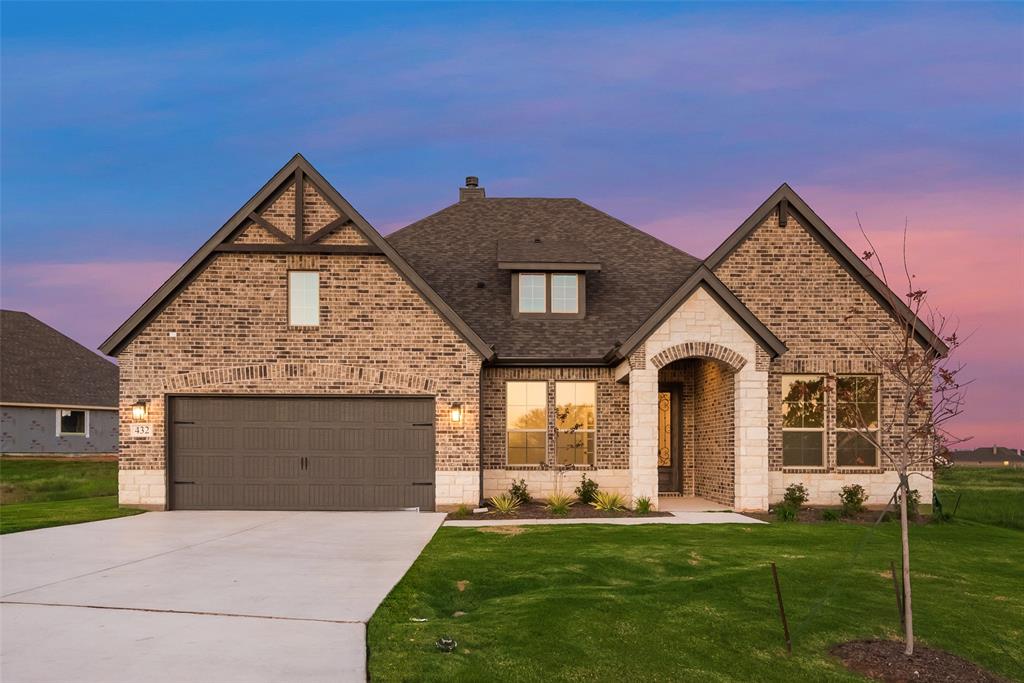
[498, 339]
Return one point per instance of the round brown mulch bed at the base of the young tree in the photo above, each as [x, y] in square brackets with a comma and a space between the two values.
[884, 661]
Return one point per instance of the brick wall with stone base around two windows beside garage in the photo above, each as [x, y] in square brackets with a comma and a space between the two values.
[612, 440]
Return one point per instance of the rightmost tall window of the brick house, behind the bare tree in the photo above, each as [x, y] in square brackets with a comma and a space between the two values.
[857, 418]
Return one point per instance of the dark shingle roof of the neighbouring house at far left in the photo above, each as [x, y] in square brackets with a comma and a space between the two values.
[38, 365]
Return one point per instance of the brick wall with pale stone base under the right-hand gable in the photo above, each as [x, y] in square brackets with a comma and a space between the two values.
[807, 305]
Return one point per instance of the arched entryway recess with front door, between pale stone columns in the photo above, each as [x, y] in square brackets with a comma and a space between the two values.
[697, 421]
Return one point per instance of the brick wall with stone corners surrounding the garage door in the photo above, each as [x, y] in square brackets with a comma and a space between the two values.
[377, 335]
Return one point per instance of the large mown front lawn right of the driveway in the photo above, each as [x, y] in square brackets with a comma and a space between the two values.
[669, 604]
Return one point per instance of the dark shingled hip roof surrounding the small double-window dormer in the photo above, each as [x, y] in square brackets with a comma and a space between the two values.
[456, 251]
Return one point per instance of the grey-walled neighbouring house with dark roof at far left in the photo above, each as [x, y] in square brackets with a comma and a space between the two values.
[57, 397]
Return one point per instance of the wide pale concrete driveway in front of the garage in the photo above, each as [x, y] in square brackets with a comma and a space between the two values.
[202, 596]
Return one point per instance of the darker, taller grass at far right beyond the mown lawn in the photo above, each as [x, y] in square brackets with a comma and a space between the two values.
[989, 496]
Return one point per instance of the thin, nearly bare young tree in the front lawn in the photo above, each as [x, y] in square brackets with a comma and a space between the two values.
[924, 388]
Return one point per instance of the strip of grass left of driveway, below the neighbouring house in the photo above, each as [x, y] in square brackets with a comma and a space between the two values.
[35, 494]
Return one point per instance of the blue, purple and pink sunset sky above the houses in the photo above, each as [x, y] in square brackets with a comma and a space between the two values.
[131, 133]
